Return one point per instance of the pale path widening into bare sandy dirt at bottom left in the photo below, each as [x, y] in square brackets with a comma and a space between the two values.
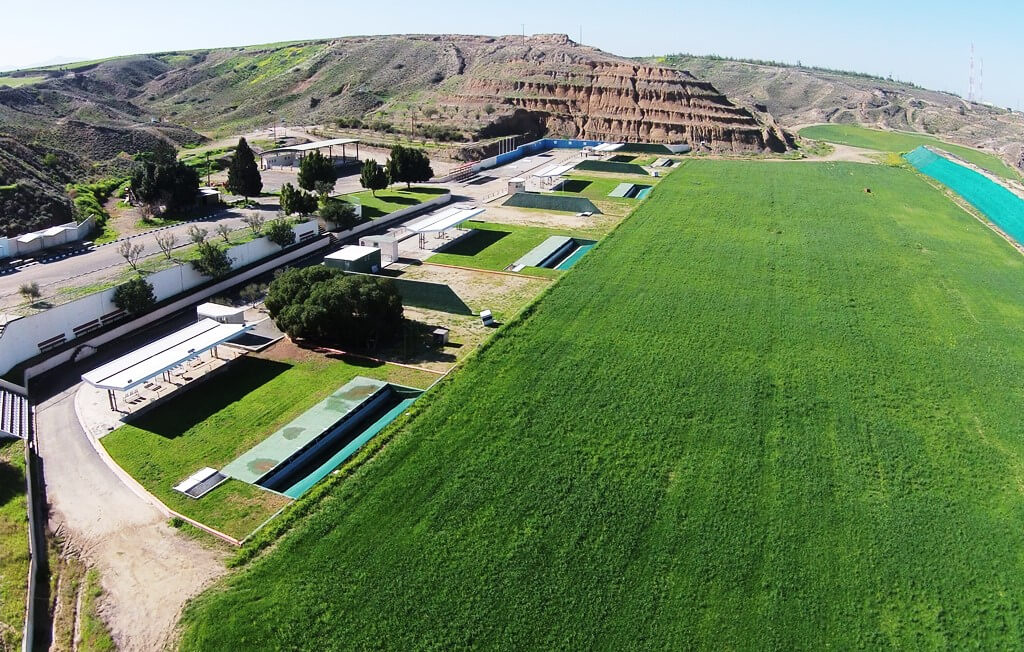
[148, 570]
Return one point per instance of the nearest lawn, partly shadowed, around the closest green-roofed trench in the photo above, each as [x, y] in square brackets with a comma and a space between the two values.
[219, 421]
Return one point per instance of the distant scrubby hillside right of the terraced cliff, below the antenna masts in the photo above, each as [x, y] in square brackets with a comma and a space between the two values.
[797, 96]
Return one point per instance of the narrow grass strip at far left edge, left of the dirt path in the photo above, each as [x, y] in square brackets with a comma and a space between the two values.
[14, 543]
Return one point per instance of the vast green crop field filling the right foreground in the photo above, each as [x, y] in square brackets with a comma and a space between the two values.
[744, 422]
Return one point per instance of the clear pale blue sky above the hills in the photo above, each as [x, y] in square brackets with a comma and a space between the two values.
[924, 42]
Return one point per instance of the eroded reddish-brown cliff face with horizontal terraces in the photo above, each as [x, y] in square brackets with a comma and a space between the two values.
[580, 93]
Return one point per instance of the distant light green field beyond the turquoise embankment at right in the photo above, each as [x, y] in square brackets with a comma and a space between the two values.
[903, 142]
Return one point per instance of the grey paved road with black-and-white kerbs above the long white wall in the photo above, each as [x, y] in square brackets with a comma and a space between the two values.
[54, 275]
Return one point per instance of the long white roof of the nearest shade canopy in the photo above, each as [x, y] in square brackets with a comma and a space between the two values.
[153, 360]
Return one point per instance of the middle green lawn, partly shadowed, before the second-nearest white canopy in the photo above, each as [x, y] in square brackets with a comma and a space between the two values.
[494, 246]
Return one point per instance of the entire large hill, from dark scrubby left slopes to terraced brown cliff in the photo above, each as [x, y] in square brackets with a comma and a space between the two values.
[84, 121]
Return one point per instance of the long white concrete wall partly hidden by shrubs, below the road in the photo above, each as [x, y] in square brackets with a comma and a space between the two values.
[21, 338]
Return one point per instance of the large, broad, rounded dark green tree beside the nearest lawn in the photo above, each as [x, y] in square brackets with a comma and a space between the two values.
[323, 305]
